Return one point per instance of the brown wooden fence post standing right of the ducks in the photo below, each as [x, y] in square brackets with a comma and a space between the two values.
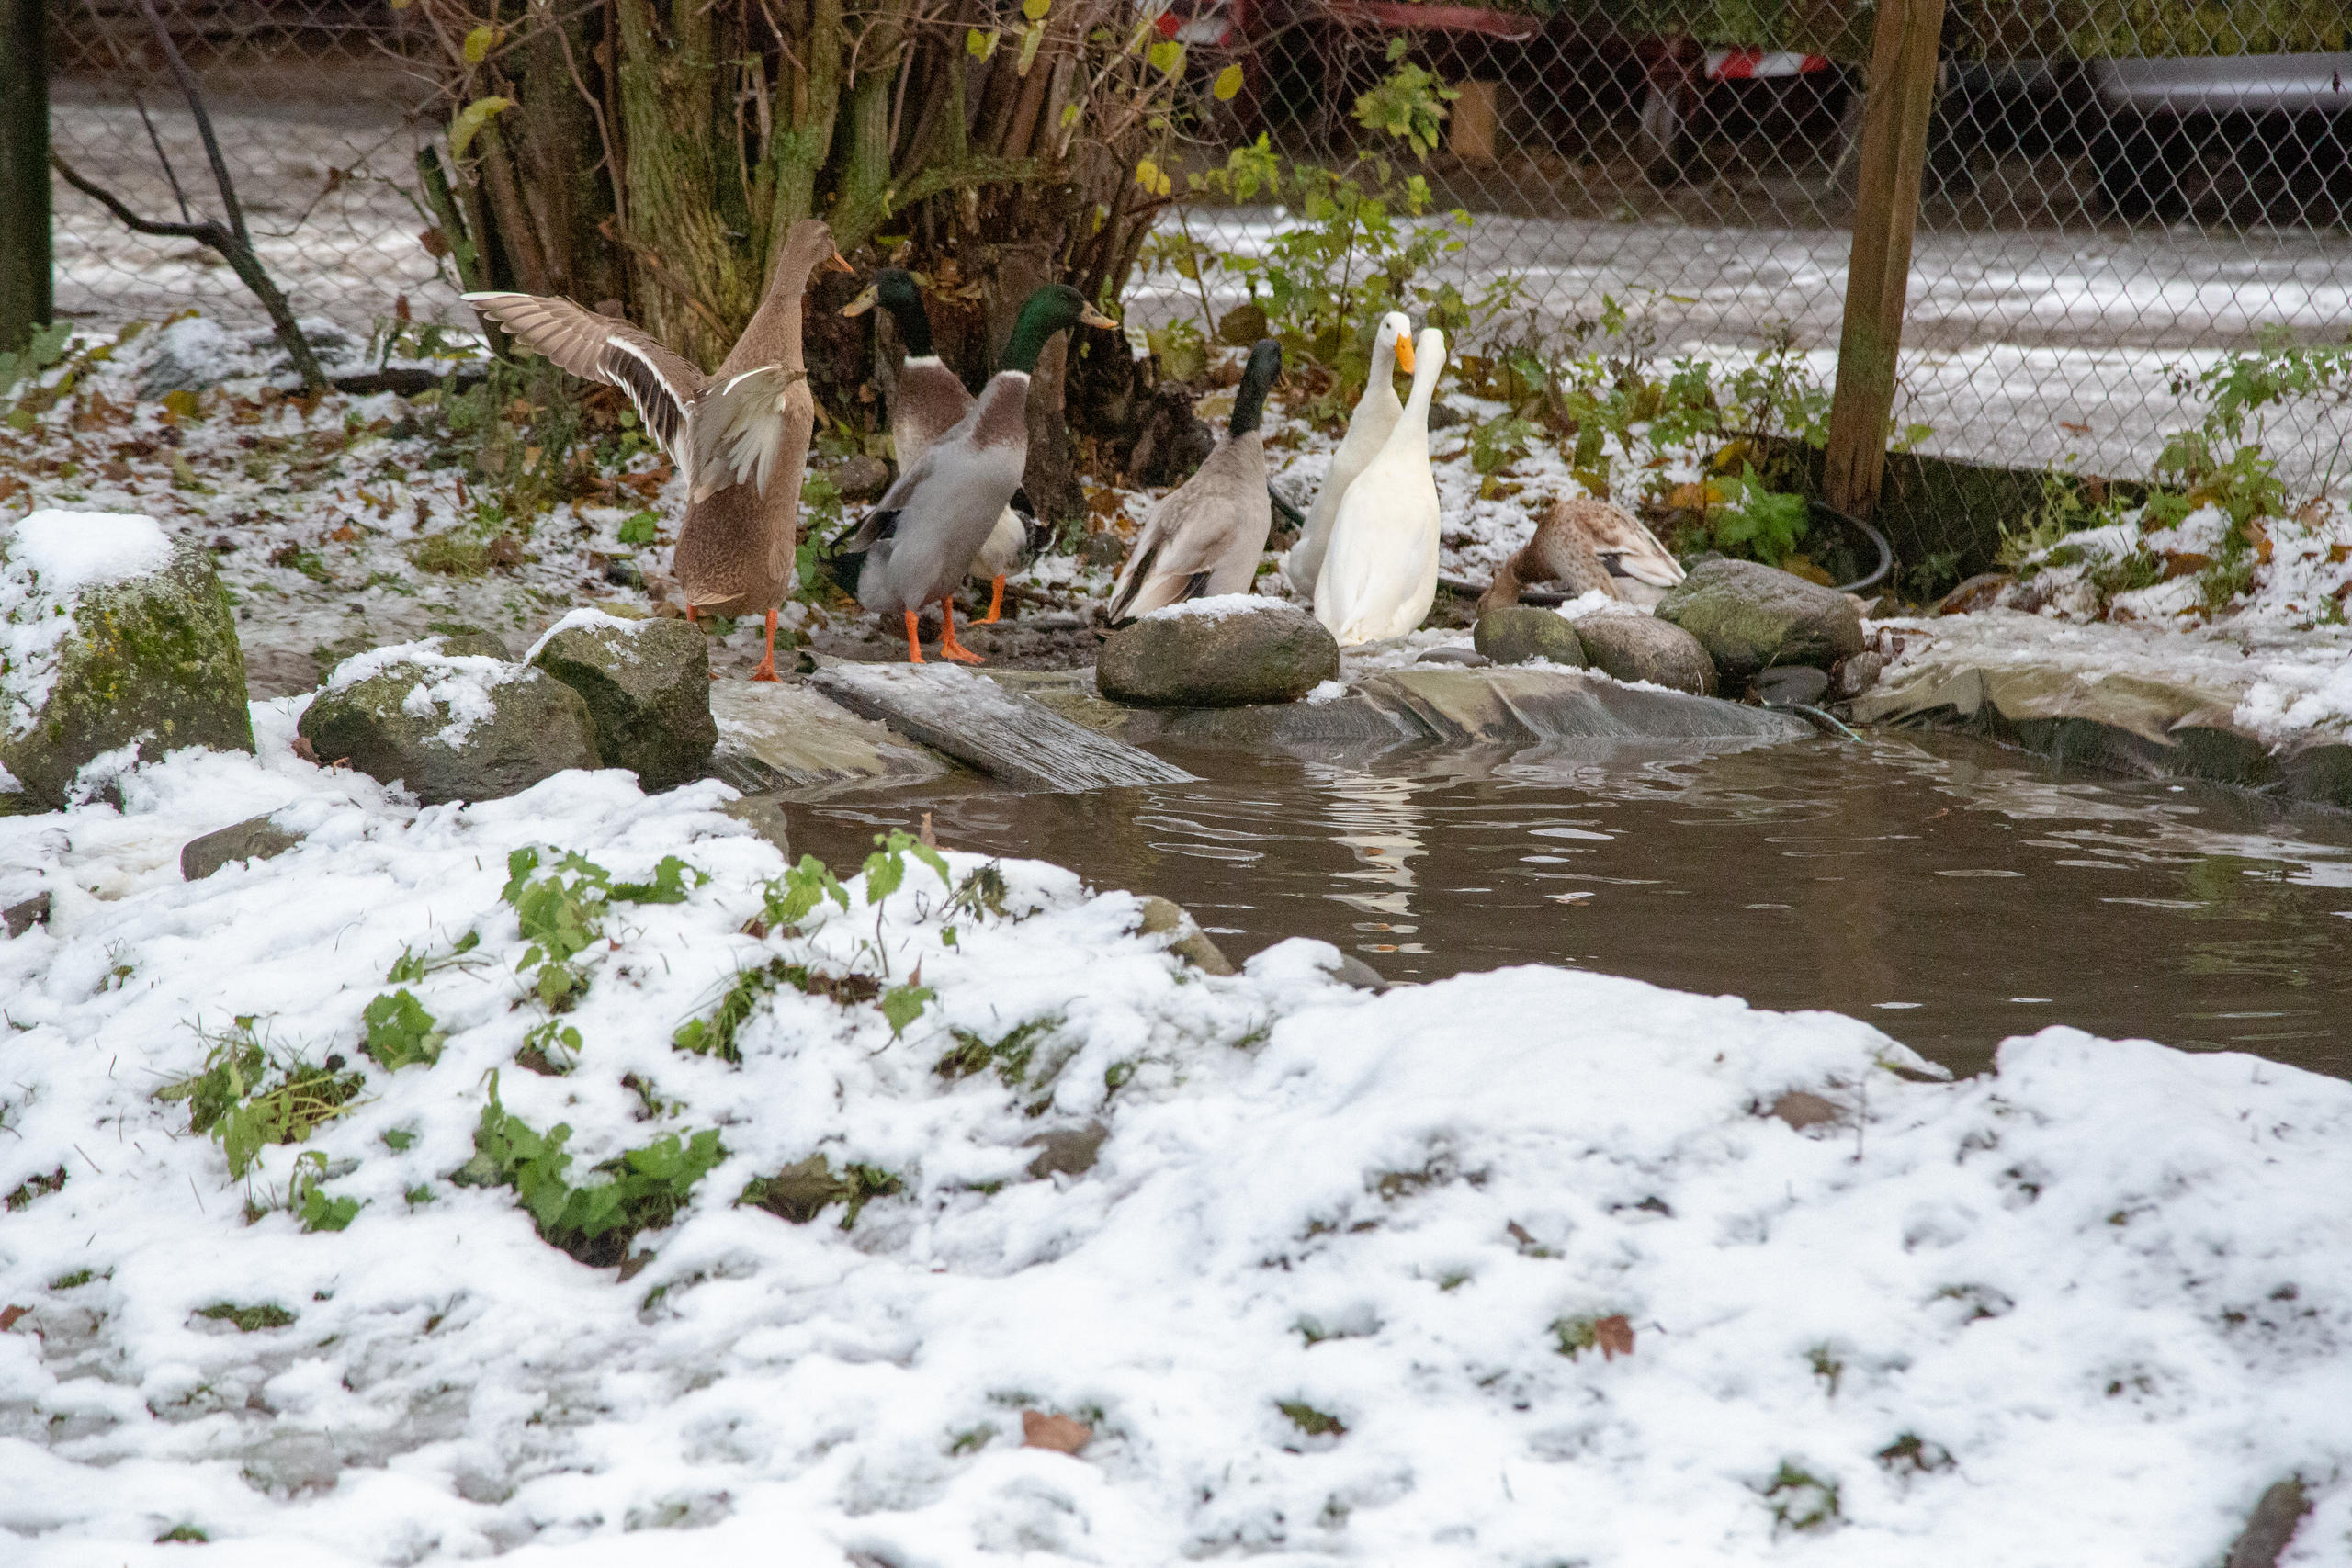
[1878, 274]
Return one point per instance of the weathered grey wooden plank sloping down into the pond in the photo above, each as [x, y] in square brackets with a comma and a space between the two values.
[991, 730]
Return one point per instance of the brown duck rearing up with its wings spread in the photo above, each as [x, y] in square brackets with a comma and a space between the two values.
[740, 436]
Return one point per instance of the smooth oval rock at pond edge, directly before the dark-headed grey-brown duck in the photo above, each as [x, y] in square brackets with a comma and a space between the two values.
[1217, 655]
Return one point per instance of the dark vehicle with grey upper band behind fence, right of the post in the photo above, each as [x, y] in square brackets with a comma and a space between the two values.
[2177, 135]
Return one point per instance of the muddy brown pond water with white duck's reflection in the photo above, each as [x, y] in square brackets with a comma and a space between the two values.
[1942, 887]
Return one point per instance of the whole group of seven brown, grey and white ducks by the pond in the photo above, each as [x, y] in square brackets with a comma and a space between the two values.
[1365, 558]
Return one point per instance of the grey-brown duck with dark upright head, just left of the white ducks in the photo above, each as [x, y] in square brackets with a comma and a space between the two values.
[1208, 535]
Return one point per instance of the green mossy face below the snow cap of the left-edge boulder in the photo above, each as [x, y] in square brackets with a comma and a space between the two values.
[152, 662]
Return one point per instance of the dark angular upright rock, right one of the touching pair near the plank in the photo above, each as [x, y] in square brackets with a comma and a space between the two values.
[648, 690]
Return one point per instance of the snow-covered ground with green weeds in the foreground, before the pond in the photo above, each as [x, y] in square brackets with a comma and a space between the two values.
[1514, 1268]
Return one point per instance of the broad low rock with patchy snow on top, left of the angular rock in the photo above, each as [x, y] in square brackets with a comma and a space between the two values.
[450, 728]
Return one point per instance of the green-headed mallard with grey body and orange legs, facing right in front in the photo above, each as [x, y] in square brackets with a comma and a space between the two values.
[935, 518]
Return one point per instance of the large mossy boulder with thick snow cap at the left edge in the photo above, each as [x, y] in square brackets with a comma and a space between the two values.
[112, 638]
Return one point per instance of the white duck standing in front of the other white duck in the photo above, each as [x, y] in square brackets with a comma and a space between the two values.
[1379, 575]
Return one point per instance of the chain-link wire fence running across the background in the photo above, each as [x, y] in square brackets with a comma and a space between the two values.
[2113, 192]
